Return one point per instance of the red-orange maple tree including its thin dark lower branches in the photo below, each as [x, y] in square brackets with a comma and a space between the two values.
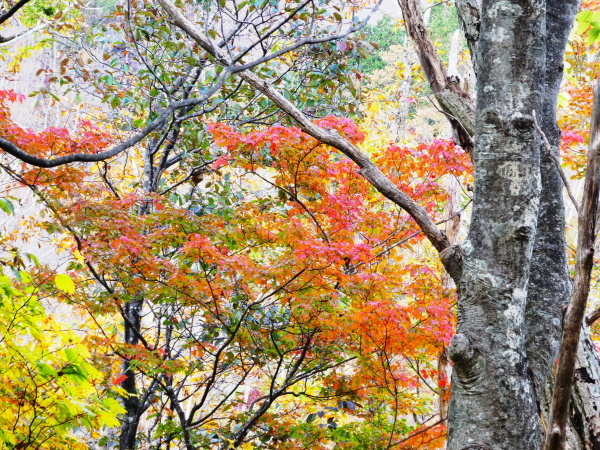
[248, 245]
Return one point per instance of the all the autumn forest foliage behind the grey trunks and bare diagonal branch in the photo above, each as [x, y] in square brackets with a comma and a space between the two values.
[230, 281]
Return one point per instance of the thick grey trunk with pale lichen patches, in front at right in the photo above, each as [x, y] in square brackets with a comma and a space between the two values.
[493, 404]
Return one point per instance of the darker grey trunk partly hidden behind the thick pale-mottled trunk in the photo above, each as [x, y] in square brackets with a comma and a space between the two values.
[549, 283]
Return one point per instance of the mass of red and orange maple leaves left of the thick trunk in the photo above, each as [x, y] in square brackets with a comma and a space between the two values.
[306, 233]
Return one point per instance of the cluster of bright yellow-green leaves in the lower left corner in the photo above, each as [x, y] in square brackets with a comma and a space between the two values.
[49, 393]
